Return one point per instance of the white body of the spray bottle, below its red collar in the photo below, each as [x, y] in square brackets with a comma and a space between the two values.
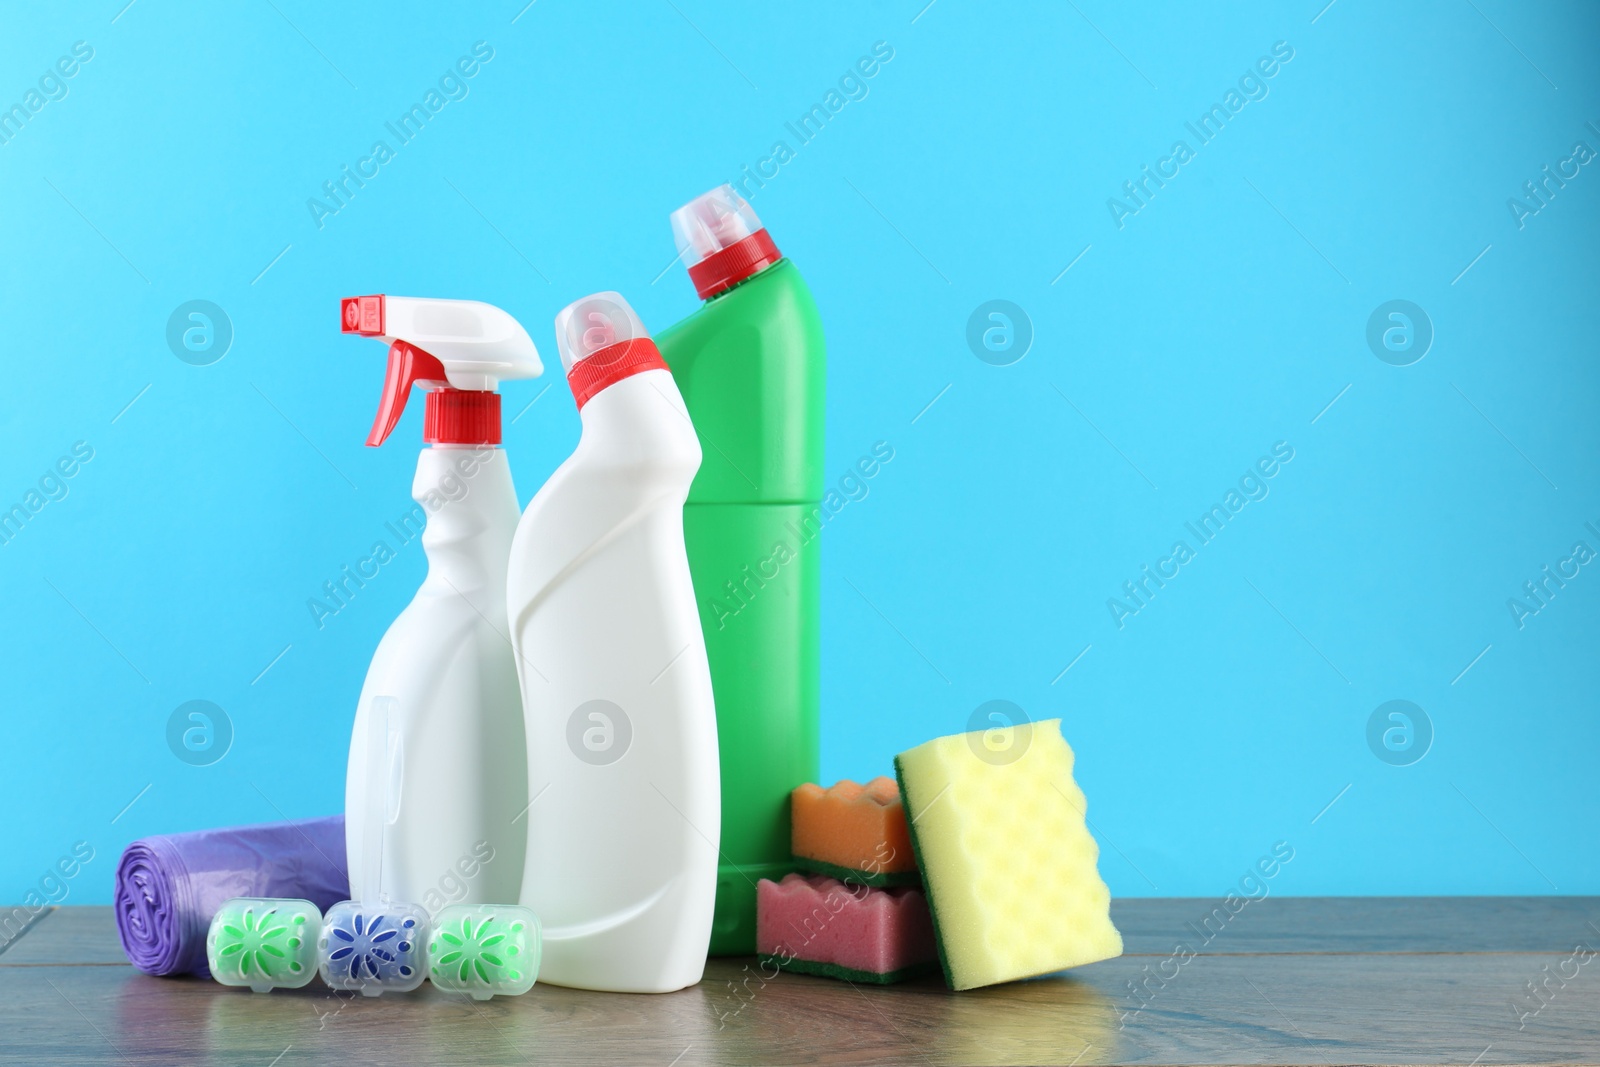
[460, 775]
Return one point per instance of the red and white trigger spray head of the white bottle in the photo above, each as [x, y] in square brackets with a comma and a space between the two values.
[458, 351]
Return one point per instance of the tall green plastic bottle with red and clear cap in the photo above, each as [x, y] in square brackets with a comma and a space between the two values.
[751, 366]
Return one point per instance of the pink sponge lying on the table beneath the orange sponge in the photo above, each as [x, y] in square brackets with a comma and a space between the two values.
[820, 925]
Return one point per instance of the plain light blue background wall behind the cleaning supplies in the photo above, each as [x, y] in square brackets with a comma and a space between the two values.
[1222, 319]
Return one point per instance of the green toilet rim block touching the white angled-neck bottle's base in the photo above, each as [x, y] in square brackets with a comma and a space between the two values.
[484, 949]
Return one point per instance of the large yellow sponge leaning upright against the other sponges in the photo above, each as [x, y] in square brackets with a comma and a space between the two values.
[999, 831]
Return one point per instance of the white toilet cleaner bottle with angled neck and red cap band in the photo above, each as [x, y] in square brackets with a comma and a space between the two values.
[622, 729]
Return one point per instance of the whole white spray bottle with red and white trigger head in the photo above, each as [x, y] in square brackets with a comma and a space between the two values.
[444, 673]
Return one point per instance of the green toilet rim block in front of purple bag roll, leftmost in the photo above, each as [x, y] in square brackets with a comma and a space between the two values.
[265, 943]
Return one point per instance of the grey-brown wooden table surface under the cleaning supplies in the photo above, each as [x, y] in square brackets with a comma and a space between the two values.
[1287, 981]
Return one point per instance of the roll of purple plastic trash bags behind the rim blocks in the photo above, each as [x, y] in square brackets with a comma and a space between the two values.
[170, 885]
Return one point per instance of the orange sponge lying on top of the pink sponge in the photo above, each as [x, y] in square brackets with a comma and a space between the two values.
[854, 833]
